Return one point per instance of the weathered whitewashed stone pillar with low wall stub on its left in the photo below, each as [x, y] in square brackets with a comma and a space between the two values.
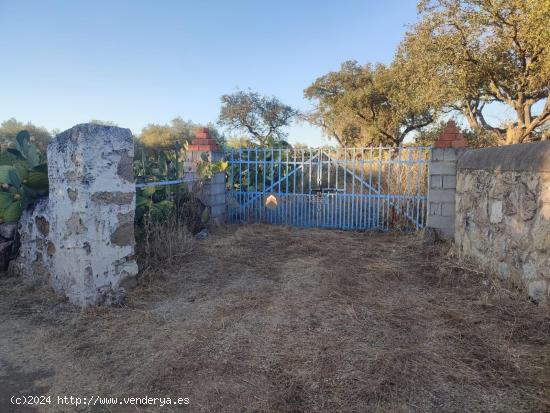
[81, 239]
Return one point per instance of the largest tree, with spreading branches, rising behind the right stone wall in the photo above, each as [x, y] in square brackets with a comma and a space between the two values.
[467, 54]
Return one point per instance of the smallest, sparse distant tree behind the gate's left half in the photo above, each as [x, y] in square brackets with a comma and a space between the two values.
[264, 119]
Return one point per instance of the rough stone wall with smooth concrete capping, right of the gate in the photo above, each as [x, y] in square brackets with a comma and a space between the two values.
[503, 213]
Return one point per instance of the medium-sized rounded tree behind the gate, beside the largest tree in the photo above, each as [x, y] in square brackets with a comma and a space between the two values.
[367, 105]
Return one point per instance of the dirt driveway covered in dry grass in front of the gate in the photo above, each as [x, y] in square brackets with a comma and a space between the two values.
[274, 319]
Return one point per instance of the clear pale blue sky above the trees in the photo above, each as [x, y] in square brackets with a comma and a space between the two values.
[136, 62]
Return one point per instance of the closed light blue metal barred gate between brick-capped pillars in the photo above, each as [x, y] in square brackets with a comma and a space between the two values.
[345, 188]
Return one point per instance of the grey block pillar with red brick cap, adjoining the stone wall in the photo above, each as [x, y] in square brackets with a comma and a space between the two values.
[442, 180]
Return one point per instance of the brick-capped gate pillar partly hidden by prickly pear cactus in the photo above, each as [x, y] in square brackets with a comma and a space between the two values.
[212, 192]
